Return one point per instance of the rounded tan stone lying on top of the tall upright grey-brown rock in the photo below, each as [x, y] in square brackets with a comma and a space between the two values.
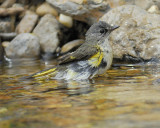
[45, 8]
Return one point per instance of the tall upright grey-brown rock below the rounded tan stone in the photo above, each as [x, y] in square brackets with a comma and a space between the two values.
[47, 30]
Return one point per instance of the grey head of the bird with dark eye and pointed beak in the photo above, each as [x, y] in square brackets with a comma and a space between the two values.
[99, 31]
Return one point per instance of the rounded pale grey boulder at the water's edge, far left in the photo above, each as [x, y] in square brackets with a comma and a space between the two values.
[24, 45]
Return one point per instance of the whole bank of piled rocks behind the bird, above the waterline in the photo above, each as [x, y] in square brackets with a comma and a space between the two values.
[49, 28]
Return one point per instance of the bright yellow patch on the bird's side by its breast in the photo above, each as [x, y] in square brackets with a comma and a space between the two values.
[96, 59]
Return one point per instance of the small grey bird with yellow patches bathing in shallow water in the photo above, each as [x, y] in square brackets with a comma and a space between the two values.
[92, 58]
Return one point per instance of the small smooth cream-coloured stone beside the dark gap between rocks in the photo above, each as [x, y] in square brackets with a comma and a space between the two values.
[66, 20]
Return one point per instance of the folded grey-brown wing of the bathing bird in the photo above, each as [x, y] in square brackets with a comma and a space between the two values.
[83, 52]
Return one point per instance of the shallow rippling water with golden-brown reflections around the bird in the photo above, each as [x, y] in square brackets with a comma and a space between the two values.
[127, 96]
